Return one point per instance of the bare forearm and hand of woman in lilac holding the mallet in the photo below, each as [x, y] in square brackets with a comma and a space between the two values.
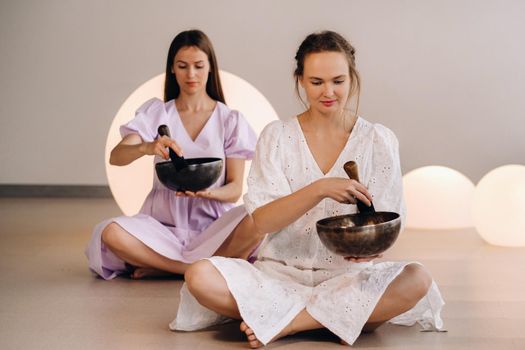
[133, 147]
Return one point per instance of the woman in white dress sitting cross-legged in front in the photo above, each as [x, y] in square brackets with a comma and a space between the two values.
[297, 178]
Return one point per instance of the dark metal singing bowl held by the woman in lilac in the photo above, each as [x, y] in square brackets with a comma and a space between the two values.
[198, 174]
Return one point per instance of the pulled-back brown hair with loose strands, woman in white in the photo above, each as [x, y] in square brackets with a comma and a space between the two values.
[322, 42]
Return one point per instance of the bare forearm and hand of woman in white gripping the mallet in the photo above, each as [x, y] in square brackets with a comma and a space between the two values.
[282, 212]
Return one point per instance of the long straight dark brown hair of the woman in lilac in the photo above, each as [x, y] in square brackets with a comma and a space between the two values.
[199, 40]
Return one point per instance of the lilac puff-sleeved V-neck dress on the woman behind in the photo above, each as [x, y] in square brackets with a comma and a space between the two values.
[180, 228]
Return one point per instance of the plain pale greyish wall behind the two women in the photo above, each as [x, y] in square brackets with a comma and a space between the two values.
[446, 76]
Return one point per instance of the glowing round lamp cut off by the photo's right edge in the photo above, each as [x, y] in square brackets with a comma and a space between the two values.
[499, 206]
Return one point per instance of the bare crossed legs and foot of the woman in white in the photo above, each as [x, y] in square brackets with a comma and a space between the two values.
[208, 286]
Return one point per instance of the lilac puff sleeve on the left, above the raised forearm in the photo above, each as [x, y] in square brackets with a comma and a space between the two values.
[147, 118]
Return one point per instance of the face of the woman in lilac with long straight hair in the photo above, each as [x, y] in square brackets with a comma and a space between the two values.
[191, 68]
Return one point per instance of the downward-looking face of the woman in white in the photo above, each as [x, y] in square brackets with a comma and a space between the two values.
[326, 81]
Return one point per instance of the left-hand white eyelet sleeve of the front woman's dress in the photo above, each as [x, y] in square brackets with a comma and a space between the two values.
[267, 180]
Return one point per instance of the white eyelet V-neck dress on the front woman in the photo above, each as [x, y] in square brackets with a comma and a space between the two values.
[294, 270]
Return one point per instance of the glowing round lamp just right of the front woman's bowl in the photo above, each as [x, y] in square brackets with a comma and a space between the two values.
[438, 197]
